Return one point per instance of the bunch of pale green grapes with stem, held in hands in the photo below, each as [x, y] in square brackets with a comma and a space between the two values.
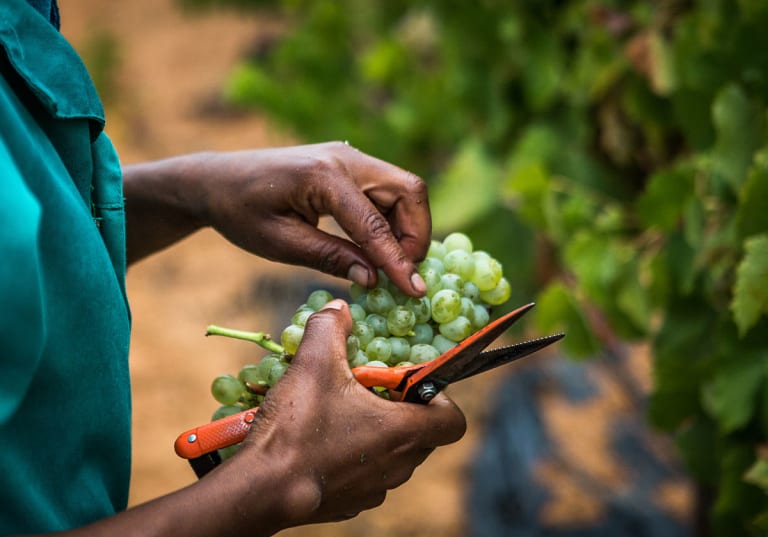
[390, 329]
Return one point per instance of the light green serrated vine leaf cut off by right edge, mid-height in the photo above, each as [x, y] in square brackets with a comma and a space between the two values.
[750, 293]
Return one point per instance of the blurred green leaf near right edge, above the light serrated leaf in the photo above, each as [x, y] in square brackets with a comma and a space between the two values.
[740, 127]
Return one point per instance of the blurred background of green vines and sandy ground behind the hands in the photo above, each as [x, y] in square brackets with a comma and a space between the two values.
[613, 155]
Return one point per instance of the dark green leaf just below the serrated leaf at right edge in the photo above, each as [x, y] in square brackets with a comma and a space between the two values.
[730, 397]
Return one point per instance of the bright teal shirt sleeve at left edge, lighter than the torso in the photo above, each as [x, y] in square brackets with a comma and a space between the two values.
[22, 332]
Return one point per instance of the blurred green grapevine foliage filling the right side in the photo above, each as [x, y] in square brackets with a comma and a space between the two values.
[612, 154]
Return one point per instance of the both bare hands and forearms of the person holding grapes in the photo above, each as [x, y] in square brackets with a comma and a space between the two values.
[323, 448]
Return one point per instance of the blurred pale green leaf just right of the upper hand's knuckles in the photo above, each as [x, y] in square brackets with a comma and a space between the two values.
[466, 191]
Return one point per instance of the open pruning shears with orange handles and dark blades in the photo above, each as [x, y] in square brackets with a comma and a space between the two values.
[414, 384]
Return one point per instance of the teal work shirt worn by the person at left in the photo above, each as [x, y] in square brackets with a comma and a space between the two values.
[64, 320]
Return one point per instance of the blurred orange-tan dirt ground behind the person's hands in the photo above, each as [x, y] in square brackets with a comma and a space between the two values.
[170, 70]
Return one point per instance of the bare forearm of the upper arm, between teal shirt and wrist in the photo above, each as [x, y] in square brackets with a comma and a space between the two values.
[163, 203]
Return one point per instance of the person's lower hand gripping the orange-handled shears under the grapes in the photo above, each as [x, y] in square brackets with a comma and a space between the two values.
[337, 446]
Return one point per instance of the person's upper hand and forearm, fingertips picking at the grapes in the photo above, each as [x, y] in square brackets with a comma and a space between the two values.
[270, 201]
